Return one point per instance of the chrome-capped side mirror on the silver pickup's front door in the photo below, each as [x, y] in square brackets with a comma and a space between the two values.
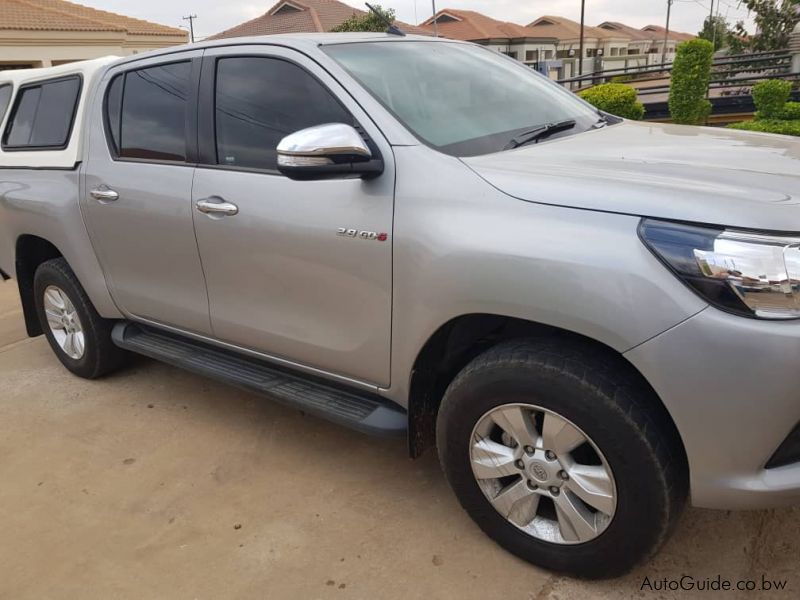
[326, 152]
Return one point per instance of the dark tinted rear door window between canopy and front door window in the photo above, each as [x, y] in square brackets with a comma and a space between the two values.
[152, 118]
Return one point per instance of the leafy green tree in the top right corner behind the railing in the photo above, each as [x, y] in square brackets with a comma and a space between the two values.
[774, 20]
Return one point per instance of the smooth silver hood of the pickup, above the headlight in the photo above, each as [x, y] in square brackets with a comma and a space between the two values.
[699, 174]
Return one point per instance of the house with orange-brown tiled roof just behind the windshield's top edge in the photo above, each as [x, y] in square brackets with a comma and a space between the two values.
[511, 39]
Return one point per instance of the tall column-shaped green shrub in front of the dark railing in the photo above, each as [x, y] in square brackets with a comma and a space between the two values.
[688, 86]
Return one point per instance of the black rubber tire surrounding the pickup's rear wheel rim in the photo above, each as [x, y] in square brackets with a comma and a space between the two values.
[100, 356]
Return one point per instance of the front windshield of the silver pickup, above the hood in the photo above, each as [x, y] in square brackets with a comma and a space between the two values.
[462, 99]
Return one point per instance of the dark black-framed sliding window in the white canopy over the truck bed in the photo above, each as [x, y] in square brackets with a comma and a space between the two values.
[43, 115]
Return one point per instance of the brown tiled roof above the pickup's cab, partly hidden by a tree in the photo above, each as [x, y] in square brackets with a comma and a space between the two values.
[301, 16]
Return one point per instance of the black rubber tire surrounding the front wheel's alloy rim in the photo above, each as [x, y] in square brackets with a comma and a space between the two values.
[617, 412]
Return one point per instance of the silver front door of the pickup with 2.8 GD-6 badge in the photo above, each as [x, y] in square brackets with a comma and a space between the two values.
[281, 279]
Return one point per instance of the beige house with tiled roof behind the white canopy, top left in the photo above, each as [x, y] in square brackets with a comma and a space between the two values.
[44, 33]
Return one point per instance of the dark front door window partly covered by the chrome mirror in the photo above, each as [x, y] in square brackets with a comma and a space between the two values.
[259, 101]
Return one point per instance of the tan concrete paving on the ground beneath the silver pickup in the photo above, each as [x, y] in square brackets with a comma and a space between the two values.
[155, 483]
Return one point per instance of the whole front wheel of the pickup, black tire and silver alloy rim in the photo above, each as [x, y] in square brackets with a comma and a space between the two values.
[561, 459]
